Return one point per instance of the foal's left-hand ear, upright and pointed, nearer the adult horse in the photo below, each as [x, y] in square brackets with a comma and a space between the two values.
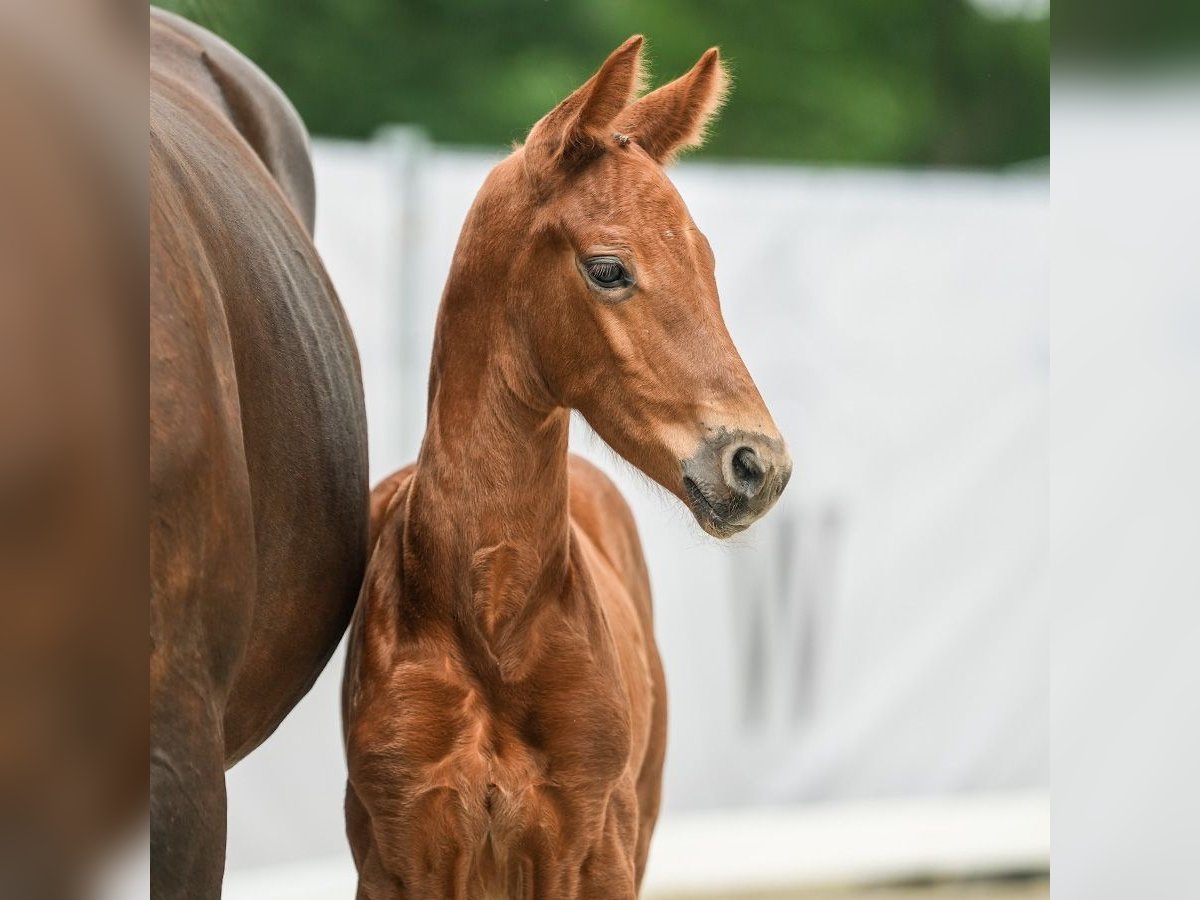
[578, 129]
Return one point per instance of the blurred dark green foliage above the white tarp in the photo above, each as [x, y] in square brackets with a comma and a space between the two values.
[903, 82]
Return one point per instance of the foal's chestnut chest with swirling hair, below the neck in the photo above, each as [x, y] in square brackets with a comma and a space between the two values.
[497, 773]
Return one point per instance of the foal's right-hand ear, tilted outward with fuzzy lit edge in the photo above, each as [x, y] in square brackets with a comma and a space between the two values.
[675, 117]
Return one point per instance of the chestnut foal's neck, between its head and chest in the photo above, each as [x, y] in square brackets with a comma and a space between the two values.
[488, 511]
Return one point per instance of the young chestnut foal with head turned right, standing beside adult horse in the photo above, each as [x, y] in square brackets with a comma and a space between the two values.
[505, 704]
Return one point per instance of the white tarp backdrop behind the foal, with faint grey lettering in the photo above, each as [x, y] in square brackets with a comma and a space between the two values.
[885, 631]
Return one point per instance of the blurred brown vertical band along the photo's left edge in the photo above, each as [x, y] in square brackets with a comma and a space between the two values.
[74, 724]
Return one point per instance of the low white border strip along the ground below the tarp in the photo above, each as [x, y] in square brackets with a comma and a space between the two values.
[731, 853]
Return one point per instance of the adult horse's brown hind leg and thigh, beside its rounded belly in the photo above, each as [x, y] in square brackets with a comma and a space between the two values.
[202, 578]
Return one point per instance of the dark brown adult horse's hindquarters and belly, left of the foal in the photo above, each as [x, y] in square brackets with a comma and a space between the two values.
[259, 470]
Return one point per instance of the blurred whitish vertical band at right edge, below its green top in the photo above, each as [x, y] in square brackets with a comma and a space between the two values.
[1125, 446]
